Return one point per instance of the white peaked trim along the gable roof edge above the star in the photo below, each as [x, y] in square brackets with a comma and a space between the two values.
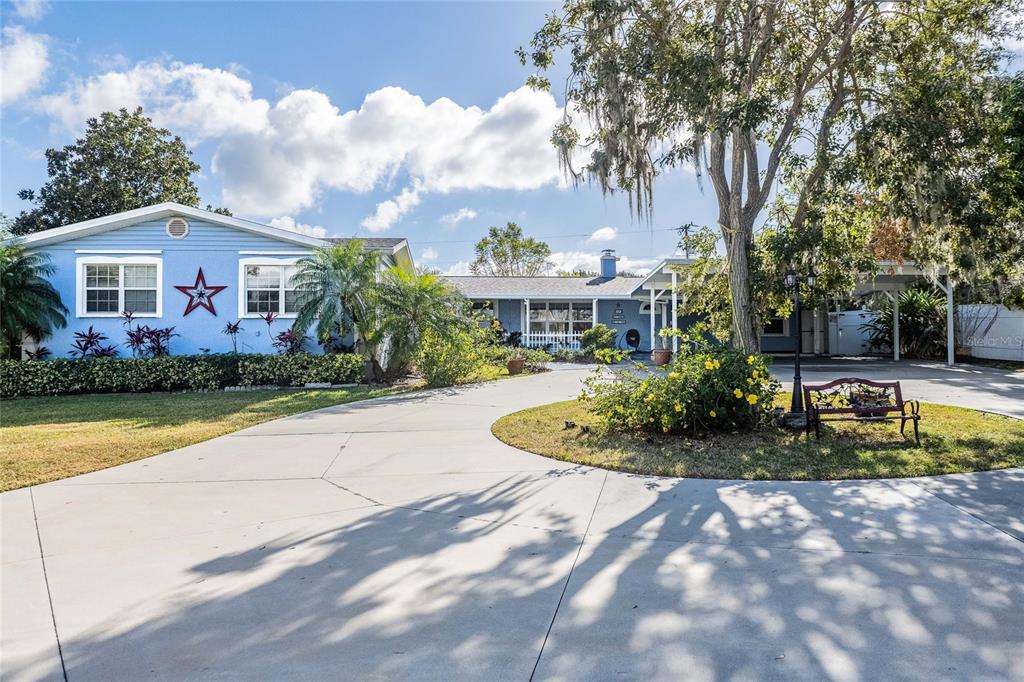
[165, 210]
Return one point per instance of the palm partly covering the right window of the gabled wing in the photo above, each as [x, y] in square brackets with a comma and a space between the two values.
[337, 288]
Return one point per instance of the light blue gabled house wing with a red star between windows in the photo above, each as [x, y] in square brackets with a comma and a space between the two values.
[174, 266]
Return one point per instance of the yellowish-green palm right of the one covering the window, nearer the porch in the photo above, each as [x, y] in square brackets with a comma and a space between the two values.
[412, 305]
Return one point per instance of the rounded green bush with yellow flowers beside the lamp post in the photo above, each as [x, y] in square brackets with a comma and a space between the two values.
[708, 388]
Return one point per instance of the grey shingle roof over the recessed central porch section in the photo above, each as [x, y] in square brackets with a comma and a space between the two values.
[551, 287]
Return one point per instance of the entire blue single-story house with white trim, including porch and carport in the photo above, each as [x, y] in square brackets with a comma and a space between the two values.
[174, 266]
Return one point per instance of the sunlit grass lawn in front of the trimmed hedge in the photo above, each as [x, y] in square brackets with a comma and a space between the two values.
[48, 439]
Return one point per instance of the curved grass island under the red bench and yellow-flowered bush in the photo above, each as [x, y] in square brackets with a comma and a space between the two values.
[953, 441]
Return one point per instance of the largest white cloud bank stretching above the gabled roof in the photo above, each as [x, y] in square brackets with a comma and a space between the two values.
[279, 158]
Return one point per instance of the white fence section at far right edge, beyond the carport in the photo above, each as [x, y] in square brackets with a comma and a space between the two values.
[993, 332]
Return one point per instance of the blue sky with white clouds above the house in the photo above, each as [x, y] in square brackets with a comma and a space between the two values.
[388, 119]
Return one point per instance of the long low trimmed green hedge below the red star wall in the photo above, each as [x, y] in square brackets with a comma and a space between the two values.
[137, 375]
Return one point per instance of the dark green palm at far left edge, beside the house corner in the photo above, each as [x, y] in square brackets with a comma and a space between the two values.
[29, 304]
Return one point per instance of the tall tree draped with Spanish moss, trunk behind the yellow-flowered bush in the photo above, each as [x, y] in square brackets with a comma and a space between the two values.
[754, 94]
